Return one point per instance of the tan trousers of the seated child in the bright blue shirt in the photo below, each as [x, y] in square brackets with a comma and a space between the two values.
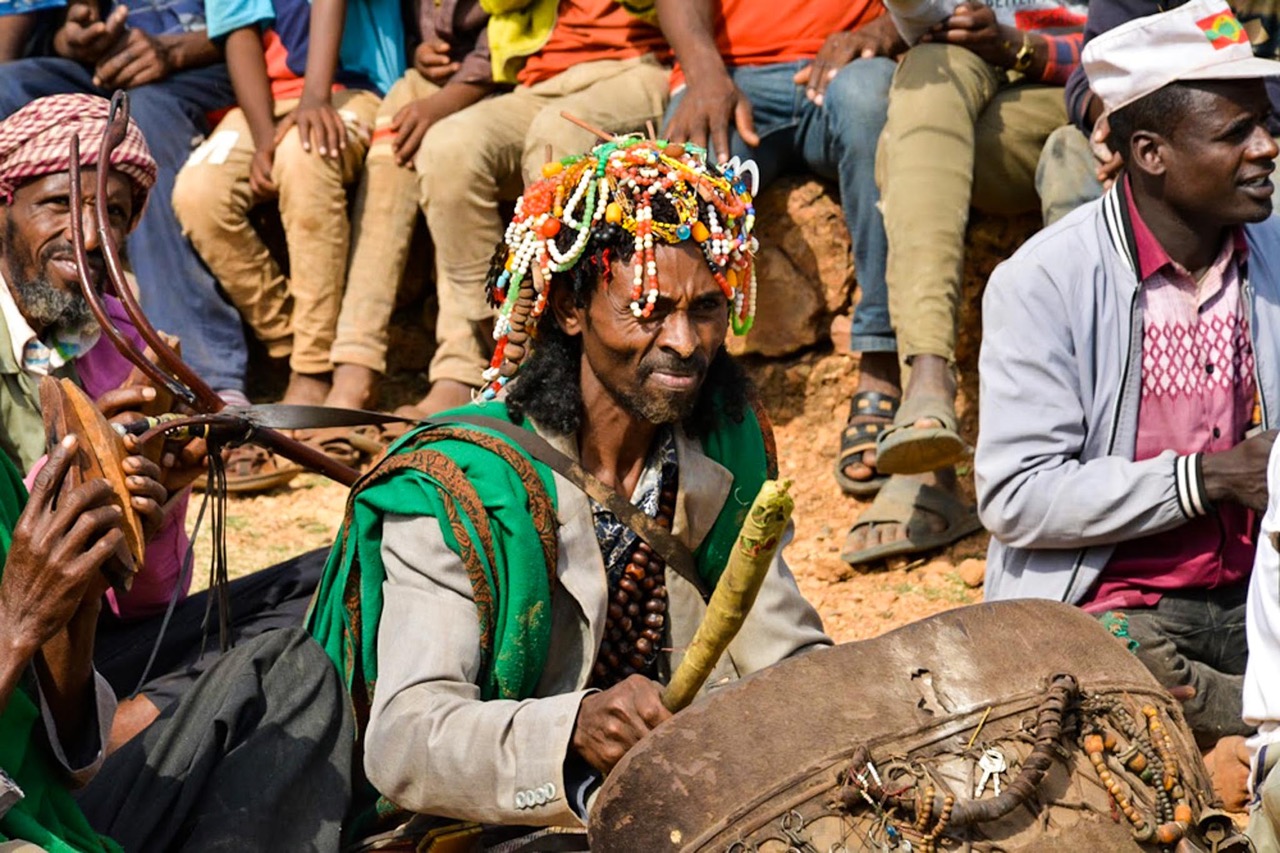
[212, 198]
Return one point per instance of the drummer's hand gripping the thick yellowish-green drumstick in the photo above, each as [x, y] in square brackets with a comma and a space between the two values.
[612, 722]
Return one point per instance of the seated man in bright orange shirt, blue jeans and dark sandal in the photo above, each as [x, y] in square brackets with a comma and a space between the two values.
[737, 88]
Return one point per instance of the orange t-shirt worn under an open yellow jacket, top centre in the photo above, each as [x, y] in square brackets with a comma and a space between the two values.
[587, 31]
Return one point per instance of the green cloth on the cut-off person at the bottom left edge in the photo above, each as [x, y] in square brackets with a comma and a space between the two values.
[47, 816]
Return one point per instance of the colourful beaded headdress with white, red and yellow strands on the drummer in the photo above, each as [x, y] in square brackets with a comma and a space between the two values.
[618, 185]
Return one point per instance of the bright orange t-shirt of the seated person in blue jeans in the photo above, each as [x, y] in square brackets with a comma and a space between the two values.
[762, 33]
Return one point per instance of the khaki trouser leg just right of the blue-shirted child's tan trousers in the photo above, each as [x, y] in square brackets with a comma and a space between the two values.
[382, 227]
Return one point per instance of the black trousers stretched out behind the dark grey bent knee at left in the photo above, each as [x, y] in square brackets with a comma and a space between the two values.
[267, 600]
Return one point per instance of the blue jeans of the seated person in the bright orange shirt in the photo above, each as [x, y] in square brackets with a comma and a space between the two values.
[836, 142]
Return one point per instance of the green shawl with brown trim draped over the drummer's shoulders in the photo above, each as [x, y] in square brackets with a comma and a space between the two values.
[493, 503]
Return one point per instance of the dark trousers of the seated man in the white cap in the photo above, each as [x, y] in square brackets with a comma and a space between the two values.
[1197, 640]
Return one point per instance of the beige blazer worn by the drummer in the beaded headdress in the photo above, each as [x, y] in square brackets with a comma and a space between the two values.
[435, 747]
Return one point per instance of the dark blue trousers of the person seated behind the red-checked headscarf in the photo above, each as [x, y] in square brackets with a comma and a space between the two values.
[179, 295]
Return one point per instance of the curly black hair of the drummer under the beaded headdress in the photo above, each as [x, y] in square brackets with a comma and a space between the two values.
[547, 387]
